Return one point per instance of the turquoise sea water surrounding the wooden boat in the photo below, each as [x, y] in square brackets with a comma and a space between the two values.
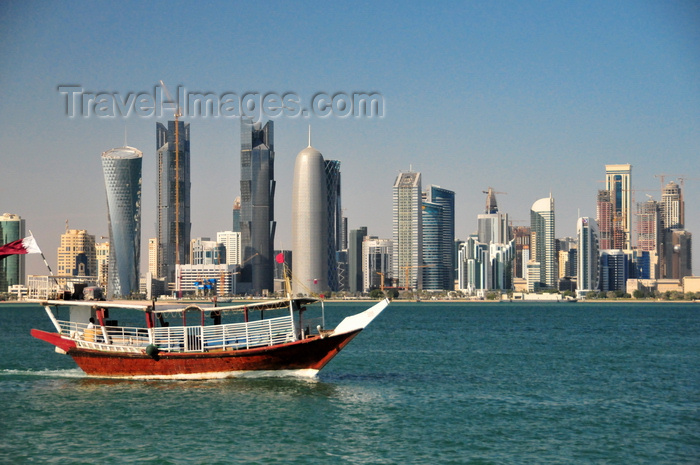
[426, 383]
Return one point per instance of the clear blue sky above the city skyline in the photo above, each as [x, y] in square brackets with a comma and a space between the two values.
[526, 97]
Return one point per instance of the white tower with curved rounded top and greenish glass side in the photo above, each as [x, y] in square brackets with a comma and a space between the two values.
[542, 245]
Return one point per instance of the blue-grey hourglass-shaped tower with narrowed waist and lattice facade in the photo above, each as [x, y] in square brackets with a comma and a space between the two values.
[122, 172]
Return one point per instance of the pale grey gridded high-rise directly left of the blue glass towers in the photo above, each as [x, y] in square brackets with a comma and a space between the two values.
[408, 230]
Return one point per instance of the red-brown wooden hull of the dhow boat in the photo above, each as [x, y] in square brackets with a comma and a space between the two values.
[310, 354]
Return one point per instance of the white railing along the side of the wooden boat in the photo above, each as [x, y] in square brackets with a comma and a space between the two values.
[233, 336]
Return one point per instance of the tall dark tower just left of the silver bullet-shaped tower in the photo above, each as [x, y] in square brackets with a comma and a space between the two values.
[257, 225]
